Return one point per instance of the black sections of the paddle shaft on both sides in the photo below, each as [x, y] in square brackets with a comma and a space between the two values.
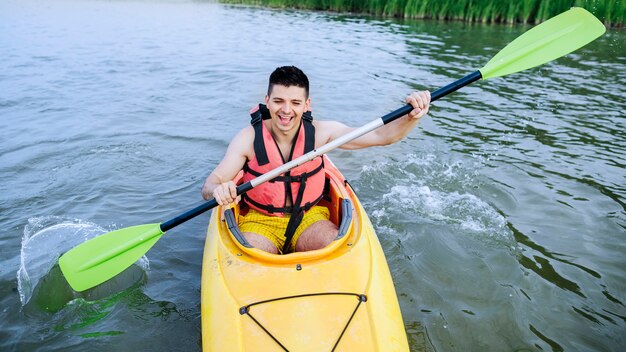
[394, 115]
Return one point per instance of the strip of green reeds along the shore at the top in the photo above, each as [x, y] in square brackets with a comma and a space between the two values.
[611, 12]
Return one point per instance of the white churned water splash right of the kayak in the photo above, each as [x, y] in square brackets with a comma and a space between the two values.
[431, 190]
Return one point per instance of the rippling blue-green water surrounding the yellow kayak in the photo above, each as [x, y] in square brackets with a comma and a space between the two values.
[502, 215]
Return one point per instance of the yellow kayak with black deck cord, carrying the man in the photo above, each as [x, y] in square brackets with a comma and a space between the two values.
[339, 298]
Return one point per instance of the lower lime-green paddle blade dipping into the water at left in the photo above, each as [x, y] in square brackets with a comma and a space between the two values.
[105, 256]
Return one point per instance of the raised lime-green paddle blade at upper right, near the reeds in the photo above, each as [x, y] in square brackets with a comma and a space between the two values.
[550, 40]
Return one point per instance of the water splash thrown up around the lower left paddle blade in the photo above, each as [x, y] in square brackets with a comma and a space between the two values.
[44, 240]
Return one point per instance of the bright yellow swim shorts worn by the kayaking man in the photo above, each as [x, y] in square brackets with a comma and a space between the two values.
[273, 227]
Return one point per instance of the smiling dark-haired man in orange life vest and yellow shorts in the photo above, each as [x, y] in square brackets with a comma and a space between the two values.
[283, 216]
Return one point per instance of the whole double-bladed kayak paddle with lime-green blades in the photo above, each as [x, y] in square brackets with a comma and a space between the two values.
[103, 257]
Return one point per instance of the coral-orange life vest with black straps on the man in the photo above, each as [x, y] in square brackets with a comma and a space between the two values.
[302, 185]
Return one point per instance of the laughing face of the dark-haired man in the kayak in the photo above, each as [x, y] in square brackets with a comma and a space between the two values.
[286, 106]
